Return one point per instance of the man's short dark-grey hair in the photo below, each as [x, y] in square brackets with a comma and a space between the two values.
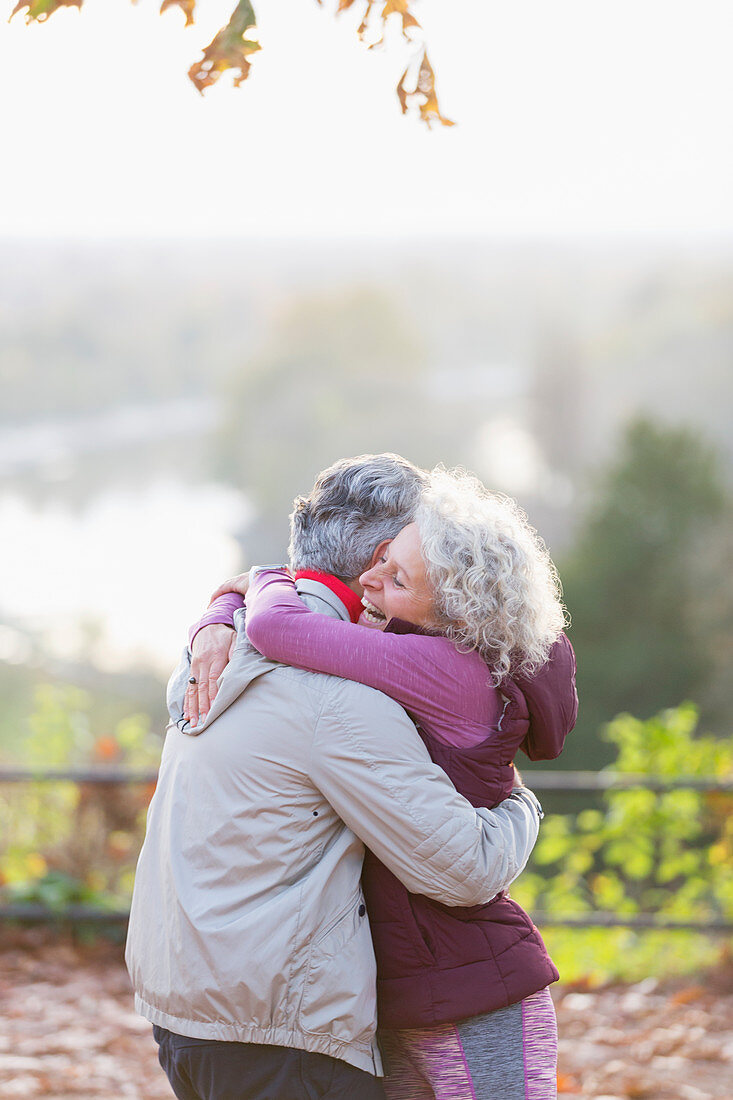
[355, 505]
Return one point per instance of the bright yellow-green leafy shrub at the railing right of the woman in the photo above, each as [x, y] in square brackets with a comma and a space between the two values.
[668, 853]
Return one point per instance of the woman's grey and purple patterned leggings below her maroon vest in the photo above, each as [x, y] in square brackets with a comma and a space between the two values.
[510, 1054]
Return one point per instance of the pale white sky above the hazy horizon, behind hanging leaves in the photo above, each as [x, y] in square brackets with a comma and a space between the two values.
[575, 117]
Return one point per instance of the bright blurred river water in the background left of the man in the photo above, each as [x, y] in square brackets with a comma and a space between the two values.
[117, 578]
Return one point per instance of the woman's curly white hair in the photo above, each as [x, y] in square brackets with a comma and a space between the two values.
[496, 587]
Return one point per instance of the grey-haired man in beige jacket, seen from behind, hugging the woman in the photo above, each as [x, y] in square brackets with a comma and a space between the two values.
[249, 945]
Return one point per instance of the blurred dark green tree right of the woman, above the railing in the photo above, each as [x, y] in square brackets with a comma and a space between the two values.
[649, 587]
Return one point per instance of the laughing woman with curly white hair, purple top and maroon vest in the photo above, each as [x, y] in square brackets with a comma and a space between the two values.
[472, 645]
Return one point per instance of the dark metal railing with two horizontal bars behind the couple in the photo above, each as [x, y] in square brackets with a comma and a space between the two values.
[562, 783]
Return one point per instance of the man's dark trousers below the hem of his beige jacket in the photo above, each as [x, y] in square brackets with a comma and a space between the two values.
[205, 1070]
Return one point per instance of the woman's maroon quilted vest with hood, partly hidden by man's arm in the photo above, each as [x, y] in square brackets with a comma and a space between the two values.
[440, 964]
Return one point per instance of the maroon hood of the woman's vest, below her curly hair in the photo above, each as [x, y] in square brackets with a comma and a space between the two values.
[552, 701]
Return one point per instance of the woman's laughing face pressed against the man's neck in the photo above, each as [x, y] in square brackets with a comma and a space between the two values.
[397, 585]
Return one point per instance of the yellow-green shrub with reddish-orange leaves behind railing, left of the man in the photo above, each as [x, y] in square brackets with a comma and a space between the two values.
[65, 843]
